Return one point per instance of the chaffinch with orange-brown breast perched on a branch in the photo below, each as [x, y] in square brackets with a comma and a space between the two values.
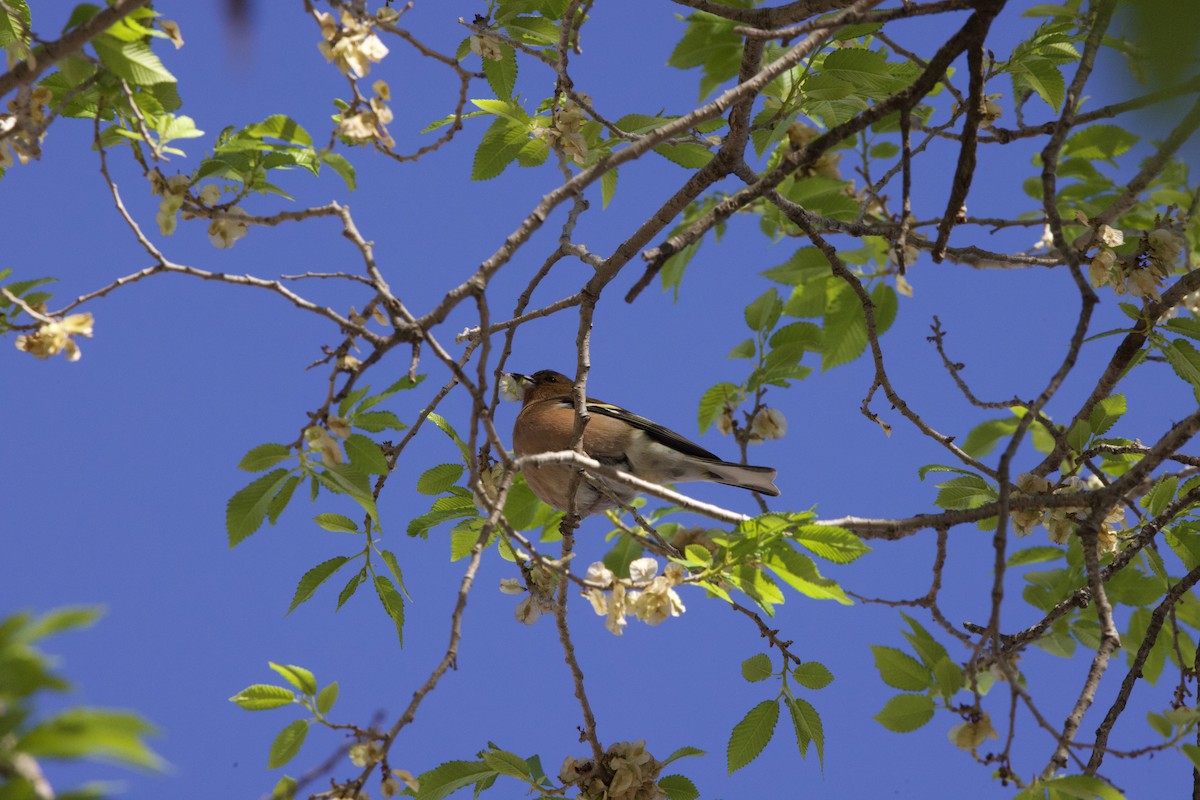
[616, 438]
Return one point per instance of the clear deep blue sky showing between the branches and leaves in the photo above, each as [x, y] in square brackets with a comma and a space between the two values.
[117, 468]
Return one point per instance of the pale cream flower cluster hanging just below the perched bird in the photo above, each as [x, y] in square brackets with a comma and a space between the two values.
[650, 598]
